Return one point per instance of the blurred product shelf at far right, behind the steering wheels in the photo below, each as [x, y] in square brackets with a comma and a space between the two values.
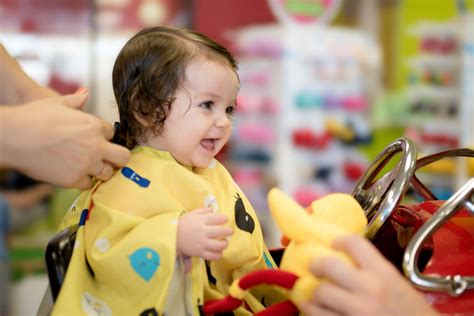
[440, 99]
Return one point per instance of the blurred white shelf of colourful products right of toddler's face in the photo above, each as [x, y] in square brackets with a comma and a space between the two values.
[303, 109]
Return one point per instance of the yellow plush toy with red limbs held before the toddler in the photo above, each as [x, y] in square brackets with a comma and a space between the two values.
[311, 233]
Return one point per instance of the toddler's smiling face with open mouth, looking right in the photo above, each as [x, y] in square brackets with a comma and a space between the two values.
[200, 121]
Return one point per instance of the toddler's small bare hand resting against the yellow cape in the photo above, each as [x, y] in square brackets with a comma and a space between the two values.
[201, 233]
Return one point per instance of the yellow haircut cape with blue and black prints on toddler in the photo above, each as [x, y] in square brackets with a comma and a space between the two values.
[125, 253]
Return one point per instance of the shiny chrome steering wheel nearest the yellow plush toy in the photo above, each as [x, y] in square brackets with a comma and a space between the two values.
[388, 190]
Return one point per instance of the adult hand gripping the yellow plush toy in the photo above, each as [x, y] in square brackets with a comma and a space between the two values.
[372, 287]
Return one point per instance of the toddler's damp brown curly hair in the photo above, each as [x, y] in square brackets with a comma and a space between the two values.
[149, 70]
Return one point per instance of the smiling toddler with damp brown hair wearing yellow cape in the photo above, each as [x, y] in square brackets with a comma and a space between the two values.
[171, 230]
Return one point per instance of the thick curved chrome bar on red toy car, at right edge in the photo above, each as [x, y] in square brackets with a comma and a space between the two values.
[454, 285]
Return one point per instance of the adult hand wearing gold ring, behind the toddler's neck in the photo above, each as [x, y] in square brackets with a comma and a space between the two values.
[51, 140]
